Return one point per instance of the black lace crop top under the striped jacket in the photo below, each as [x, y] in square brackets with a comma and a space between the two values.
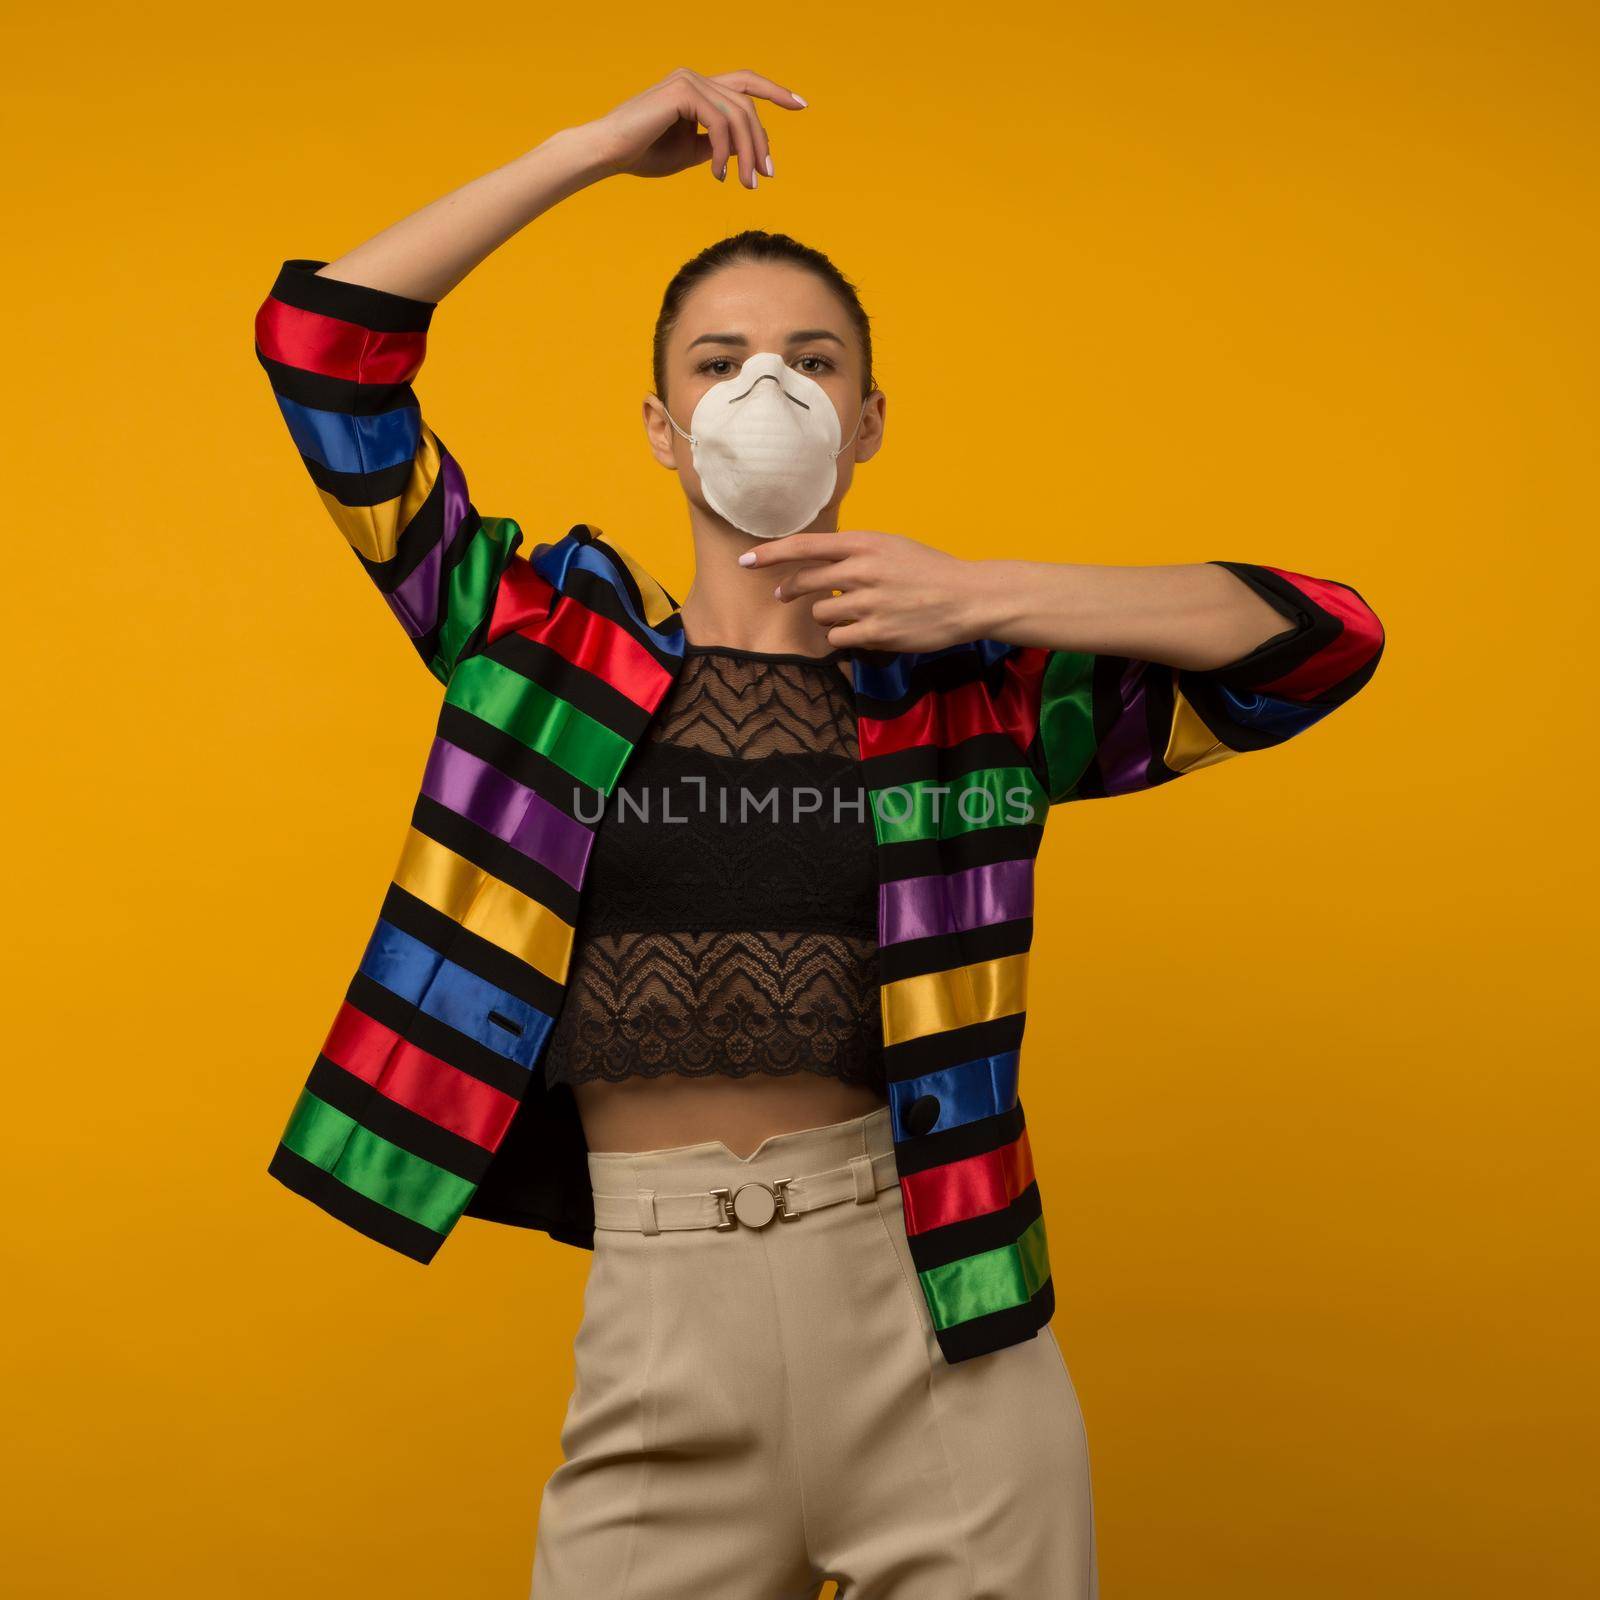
[729, 922]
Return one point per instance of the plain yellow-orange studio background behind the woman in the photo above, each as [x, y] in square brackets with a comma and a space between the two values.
[1310, 1065]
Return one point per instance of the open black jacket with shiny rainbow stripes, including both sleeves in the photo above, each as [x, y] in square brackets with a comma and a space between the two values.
[426, 1102]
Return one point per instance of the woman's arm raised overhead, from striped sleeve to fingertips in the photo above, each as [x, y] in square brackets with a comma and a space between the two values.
[342, 343]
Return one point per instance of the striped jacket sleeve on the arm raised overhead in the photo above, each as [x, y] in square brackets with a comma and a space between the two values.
[342, 359]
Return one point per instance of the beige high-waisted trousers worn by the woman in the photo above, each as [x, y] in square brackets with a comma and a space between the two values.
[762, 1409]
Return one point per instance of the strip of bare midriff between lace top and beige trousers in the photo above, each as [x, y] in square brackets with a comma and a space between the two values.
[657, 1114]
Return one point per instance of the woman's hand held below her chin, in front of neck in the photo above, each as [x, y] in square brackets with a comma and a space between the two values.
[897, 594]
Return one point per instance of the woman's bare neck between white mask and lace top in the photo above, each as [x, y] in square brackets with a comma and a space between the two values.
[734, 606]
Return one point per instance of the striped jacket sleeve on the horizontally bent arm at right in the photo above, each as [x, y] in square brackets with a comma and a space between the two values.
[1111, 726]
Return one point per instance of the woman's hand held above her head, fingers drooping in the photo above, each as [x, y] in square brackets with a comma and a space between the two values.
[657, 134]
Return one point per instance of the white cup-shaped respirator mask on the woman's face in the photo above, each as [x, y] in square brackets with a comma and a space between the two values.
[764, 446]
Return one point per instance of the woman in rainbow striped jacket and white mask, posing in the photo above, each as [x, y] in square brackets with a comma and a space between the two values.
[708, 943]
